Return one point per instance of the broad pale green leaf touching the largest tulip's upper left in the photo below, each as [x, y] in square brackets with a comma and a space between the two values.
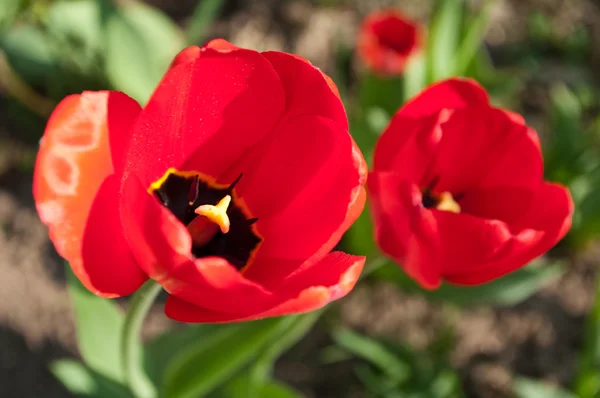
[140, 44]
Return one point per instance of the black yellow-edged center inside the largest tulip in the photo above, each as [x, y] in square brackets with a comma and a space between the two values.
[185, 193]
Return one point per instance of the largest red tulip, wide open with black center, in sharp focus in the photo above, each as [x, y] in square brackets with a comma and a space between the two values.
[229, 188]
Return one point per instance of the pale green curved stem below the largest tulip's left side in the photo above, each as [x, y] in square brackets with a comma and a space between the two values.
[131, 343]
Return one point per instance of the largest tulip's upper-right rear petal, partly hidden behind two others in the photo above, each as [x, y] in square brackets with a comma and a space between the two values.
[306, 89]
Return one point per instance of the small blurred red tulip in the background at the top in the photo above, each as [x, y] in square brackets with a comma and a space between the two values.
[386, 40]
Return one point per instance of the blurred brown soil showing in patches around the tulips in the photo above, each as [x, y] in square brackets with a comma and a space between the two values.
[539, 338]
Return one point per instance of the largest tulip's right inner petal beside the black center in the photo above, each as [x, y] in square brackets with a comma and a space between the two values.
[303, 207]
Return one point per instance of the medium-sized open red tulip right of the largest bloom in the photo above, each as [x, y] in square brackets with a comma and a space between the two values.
[457, 189]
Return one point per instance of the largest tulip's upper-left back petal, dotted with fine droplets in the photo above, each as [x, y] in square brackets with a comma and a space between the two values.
[206, 113]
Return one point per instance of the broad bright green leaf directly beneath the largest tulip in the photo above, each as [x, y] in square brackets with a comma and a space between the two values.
[211, 361]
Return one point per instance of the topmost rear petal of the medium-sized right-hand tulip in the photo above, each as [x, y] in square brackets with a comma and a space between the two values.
[453, 93]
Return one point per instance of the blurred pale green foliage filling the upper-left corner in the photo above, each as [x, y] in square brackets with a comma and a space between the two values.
[92, 44]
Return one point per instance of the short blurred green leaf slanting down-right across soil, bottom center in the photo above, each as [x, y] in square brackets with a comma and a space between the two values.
[374, 352]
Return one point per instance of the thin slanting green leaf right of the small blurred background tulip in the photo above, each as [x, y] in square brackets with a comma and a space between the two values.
[472, 40]
